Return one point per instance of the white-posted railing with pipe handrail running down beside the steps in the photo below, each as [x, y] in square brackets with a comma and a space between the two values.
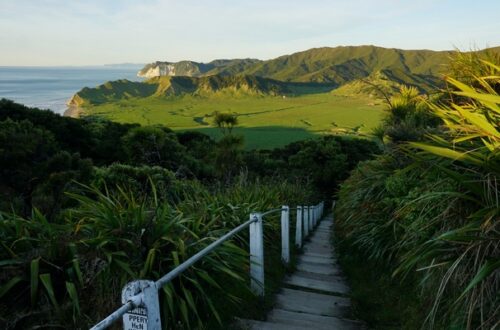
[140, 309]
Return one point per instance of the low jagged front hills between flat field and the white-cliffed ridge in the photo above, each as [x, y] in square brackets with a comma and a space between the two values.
[113, 91]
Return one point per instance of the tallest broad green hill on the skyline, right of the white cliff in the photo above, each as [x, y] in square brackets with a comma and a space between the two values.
[340, 65]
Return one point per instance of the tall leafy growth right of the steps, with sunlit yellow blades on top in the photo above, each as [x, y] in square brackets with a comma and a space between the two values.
[428, 209]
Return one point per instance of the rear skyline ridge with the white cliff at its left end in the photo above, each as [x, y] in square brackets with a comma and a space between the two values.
[337, 66]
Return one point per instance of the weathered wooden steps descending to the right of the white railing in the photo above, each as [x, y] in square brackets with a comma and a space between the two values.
[315, 296]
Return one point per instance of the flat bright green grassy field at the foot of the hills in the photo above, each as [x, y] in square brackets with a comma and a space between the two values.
[265, 121]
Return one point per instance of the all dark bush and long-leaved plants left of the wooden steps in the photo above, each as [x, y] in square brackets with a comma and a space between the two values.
[72, 234]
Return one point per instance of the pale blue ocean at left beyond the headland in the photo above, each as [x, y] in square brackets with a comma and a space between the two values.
[51, 87]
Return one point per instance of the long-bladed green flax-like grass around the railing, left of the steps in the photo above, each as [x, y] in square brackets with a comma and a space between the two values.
[70, 273]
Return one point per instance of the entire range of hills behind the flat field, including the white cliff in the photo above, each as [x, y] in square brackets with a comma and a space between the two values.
[353, 70]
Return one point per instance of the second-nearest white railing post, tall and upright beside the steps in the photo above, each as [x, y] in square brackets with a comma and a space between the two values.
[256, 254]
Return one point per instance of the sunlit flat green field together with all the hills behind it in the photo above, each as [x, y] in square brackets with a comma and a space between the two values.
[339, 91]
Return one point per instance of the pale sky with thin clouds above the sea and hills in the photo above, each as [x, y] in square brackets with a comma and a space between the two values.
[96, 32]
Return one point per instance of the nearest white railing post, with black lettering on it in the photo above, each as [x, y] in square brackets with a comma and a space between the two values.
[147, 316]
